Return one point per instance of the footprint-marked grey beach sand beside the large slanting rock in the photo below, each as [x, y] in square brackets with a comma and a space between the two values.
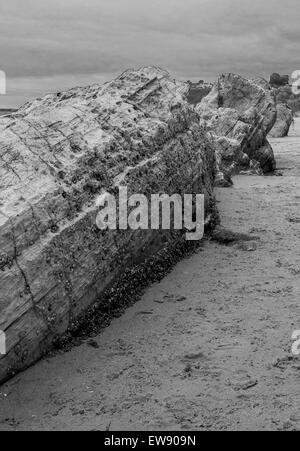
[208, 348]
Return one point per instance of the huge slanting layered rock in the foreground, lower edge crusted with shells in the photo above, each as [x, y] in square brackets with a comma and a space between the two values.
[56, 155]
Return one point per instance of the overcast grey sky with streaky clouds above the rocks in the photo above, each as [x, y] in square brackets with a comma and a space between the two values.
[51, 45]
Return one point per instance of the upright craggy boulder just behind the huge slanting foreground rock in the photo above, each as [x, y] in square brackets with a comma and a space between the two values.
[239, 114]
